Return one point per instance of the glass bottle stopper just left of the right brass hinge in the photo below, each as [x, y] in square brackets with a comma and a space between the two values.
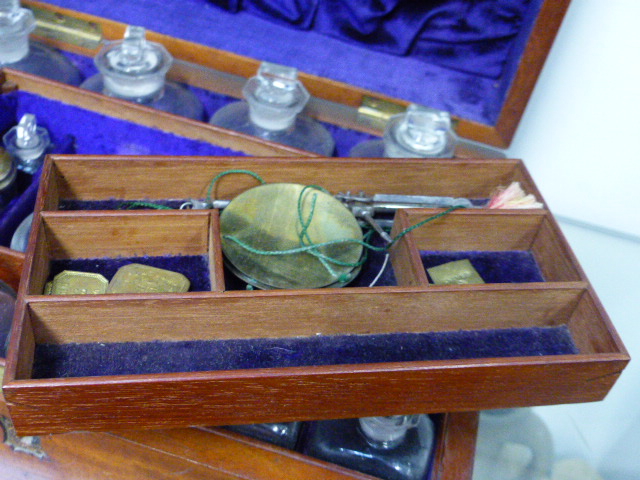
[275, 96]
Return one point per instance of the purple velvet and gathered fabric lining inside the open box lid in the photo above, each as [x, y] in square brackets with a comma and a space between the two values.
[456, 36]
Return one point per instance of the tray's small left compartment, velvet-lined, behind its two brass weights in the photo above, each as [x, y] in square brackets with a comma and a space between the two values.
[103, 243]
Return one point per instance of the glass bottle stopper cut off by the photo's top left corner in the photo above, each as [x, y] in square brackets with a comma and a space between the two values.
[15, 26]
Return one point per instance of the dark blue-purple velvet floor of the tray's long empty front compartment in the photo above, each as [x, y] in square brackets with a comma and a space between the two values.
[99, 359]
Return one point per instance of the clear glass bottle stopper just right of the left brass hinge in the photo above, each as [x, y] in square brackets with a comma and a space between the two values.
[133, 68]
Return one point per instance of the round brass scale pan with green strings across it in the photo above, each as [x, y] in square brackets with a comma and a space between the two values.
[262, 226]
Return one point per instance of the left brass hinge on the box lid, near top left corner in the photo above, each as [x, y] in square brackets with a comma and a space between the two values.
[64, 28]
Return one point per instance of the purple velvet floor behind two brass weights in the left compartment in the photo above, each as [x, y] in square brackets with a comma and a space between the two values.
[194, 267]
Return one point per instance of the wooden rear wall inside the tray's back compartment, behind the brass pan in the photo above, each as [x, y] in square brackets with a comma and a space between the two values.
[91, 177]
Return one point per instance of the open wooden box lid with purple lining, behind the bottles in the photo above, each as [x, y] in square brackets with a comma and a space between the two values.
[219, 50]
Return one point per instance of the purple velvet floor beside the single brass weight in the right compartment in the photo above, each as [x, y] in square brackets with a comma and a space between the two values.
[494, 267]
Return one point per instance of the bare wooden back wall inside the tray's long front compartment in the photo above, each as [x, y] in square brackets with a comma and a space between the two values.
[296, 313]
